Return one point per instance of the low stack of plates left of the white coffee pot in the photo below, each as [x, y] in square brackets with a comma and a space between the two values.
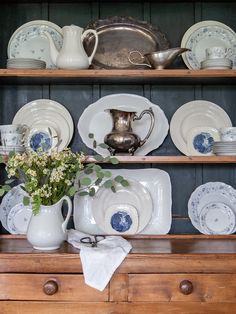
[25, 63]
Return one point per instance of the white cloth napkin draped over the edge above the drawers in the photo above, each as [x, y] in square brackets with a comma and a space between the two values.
[100, 262]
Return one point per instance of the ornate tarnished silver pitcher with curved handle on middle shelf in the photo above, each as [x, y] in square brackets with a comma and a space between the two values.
[122, 139]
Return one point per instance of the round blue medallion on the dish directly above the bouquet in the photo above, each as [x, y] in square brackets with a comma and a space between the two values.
[41, 141]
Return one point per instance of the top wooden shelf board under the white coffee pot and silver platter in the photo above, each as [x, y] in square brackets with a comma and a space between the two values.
[89, 76]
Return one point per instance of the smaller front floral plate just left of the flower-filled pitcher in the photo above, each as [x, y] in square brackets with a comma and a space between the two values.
[18, 219]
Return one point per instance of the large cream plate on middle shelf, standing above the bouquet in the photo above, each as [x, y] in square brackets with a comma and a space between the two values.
[47, 113]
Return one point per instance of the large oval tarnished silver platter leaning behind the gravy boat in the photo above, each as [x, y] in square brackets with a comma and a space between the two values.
[117, 36]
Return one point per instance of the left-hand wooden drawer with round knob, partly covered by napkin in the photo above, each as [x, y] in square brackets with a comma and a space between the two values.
[48, 287]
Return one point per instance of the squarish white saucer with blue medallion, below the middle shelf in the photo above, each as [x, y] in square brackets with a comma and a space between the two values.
[120, 219]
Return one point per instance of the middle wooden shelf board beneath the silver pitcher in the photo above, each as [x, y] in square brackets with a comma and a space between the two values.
[173, 159]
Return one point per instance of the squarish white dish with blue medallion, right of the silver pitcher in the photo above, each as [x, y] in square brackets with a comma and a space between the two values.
[200, 141]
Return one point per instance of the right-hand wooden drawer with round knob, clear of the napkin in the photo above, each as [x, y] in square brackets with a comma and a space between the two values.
[182, 287]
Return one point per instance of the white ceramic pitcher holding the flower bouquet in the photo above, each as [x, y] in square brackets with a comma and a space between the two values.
[47, 230]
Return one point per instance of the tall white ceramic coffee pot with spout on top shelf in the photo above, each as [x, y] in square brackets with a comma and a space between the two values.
[72, 54]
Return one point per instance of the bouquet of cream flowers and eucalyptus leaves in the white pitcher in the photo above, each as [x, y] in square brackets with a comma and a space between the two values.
[48, 177]
